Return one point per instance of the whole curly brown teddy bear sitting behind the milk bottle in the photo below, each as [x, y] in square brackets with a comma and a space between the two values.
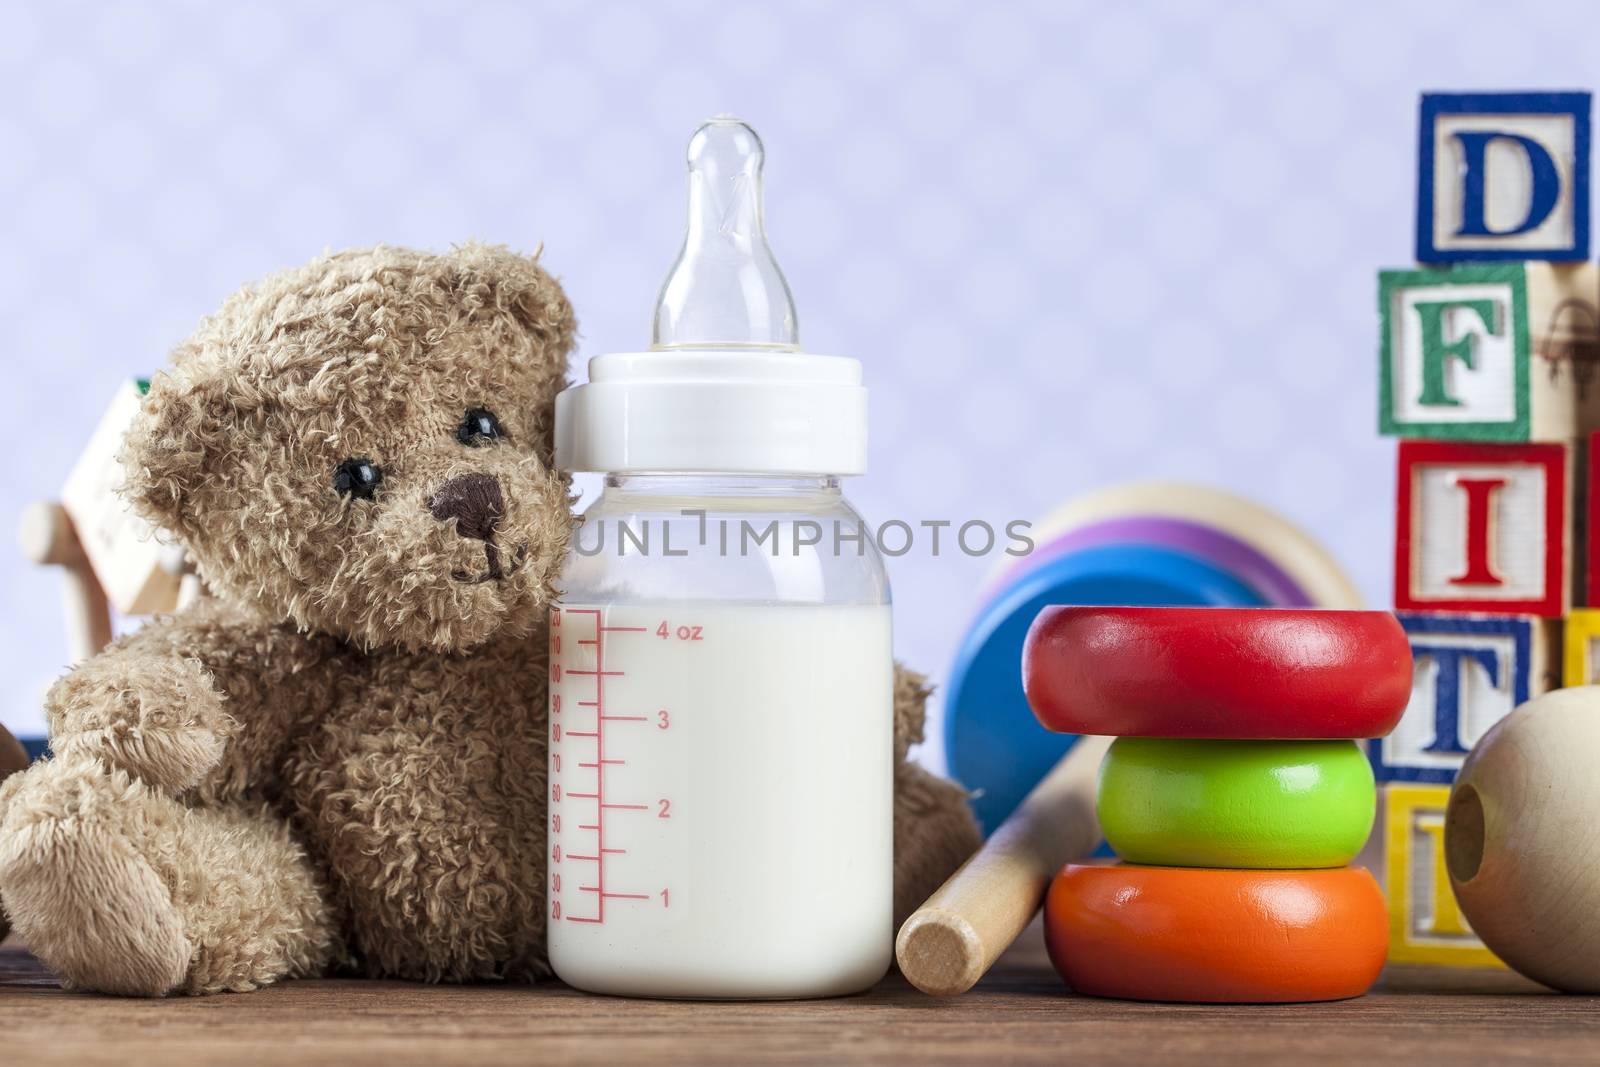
[337, 762]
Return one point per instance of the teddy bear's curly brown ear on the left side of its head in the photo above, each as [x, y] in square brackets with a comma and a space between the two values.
[166, 454]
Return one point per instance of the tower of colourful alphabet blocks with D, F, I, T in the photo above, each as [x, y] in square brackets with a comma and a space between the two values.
[1489, 375]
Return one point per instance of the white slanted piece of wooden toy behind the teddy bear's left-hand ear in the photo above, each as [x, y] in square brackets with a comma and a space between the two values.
[135, 569]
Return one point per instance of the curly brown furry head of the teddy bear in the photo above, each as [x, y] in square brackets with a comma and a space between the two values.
[377, 356]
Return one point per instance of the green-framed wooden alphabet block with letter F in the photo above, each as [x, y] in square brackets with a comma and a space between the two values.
[1492, 353]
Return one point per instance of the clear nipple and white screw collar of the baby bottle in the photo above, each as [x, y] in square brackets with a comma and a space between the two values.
[724, 386]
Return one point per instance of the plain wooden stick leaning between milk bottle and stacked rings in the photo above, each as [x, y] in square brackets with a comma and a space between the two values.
[958, 935]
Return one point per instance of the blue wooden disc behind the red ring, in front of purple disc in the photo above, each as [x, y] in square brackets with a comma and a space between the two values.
[994, 745]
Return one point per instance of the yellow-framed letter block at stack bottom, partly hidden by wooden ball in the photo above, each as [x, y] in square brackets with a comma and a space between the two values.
[1425, 922]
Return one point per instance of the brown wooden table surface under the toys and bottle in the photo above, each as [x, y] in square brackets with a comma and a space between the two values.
[1018, 1015]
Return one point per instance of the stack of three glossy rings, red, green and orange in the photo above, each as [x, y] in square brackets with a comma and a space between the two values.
[1236, 796]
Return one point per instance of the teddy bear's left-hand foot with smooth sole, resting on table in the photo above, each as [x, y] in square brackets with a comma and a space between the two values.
[78, 887]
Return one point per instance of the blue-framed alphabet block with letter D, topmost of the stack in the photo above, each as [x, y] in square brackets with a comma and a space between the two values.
[1503, 177]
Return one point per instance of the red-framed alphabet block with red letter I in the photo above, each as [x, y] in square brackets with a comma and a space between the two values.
[1484, 529]
